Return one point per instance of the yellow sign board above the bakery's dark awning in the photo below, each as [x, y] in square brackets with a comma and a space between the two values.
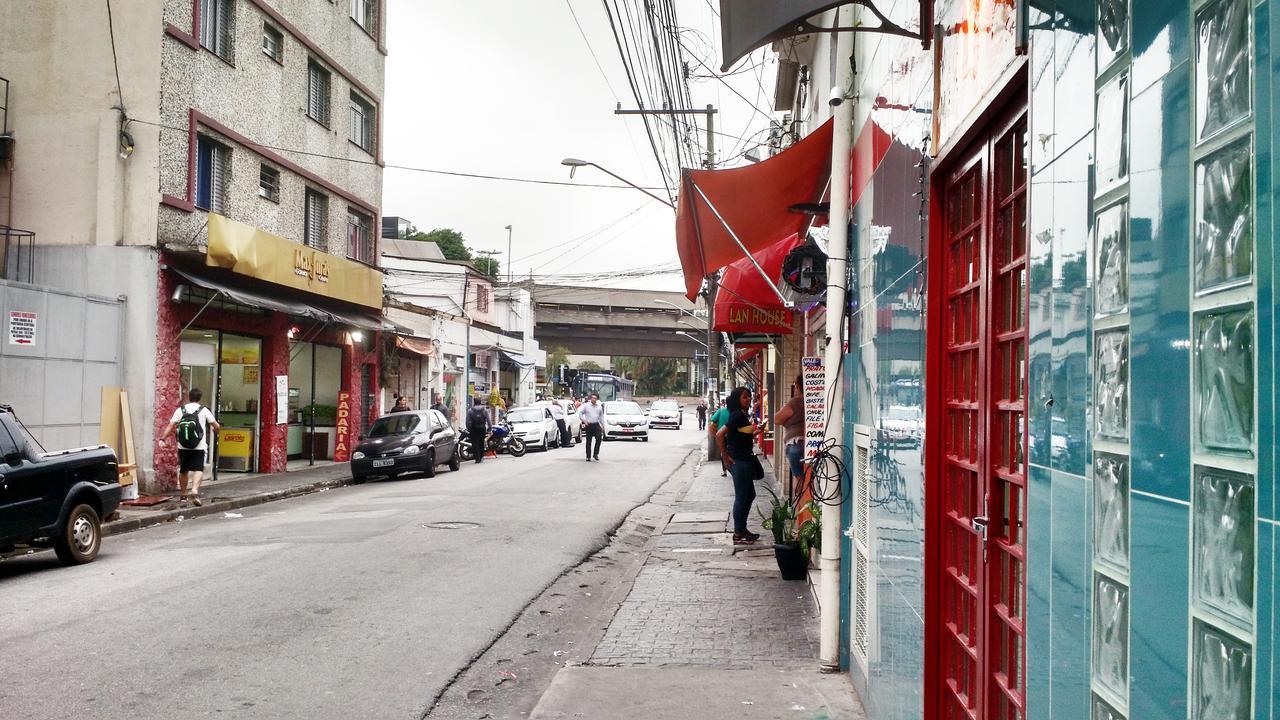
[250, 252]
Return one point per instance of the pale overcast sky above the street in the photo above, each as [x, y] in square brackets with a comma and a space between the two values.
[509, 88]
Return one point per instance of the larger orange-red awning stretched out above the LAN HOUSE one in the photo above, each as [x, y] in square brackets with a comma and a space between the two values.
[752, 200]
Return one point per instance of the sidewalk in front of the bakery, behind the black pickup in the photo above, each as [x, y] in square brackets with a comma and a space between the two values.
[230, 495]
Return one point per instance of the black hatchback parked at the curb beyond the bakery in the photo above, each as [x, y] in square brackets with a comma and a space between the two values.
[414, 441]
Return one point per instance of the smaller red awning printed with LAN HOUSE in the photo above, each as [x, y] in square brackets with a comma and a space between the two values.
[746, 303]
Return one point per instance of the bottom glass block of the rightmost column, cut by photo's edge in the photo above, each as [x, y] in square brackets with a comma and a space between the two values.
[1222, 676]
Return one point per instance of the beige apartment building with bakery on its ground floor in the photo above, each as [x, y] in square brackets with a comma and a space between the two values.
[217, 163]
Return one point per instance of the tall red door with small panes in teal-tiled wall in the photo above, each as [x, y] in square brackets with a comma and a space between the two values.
[981, 466]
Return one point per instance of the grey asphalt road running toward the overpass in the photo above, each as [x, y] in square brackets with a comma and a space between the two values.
[339, 605]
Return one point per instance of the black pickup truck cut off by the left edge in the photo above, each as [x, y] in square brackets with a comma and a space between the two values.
[54, 499]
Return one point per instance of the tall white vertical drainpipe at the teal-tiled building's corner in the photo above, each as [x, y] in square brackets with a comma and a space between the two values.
[838, 265]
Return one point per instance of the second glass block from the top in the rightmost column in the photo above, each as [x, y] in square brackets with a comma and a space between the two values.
[1224, 217]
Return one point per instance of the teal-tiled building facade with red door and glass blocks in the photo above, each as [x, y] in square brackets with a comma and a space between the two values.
[1059, 394]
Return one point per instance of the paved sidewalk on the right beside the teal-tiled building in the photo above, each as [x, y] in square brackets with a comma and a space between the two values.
[707, 631]
